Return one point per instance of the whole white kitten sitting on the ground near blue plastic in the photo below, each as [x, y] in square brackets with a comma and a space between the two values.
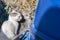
[10, 26]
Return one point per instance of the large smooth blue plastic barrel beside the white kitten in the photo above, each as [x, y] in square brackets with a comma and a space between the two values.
[46, 25]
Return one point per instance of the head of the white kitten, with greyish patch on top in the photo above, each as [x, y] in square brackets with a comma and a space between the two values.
[16, 16]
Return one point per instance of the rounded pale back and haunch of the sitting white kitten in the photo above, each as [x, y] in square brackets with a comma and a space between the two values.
[8, 29]
